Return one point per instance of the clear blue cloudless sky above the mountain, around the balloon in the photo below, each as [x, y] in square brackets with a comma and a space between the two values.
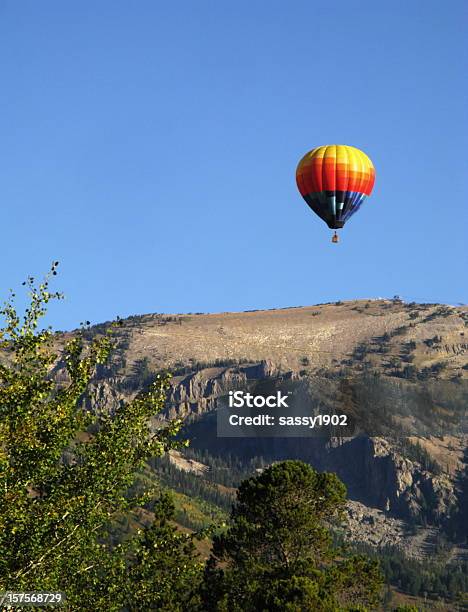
[151, 148]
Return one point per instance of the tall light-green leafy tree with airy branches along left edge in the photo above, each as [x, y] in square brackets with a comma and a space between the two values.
[65, 474]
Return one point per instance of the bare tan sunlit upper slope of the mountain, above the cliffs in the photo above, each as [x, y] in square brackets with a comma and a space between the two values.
[390, 334]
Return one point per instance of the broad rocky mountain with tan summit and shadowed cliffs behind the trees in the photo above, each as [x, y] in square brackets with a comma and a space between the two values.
[400, 369]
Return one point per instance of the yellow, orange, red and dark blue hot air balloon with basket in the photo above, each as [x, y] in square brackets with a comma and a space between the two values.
[335, 180]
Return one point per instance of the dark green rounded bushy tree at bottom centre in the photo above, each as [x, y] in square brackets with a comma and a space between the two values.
[277, 553]
